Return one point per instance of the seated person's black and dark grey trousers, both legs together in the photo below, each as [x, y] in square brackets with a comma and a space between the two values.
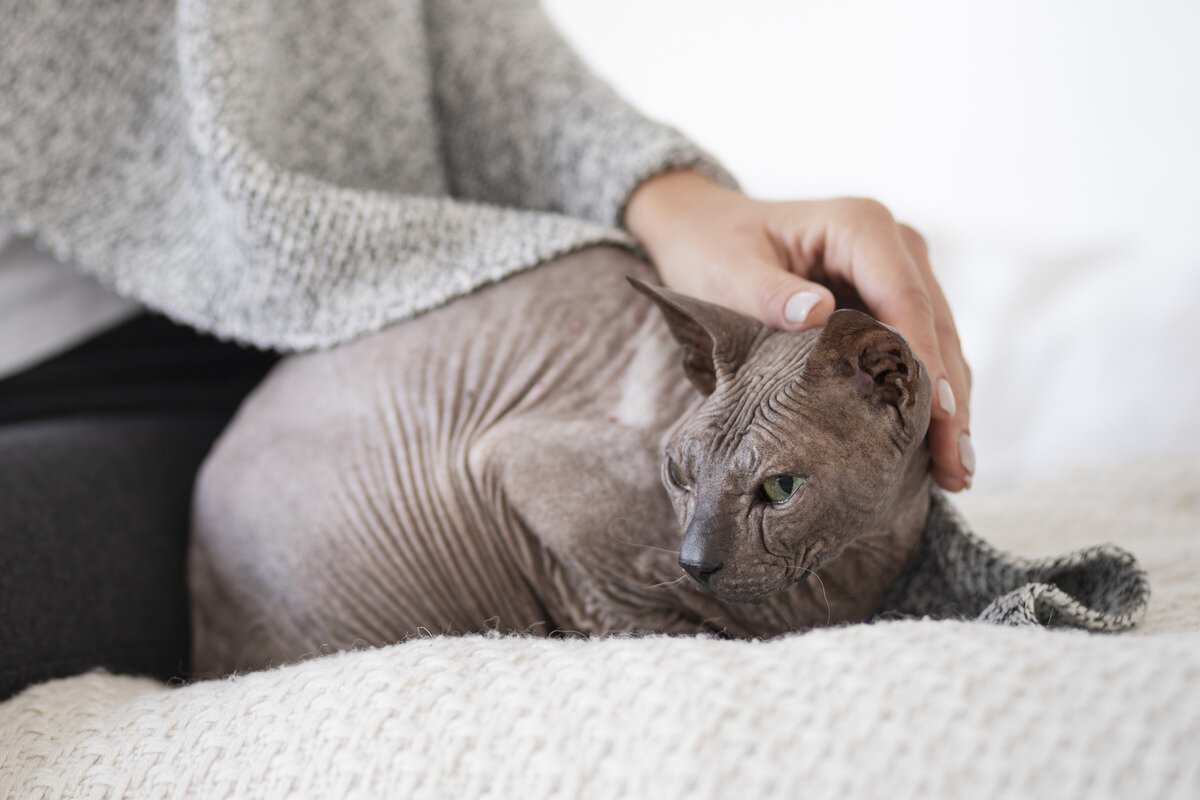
[99, 452]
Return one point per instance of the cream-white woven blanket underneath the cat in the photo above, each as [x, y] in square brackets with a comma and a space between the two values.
[909, 709]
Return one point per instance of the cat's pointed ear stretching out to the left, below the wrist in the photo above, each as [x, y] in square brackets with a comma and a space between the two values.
[716, 341]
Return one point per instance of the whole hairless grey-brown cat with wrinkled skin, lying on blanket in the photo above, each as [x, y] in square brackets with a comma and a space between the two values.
[502, 464]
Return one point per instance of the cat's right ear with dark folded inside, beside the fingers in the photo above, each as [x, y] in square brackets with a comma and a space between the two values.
[872, 358]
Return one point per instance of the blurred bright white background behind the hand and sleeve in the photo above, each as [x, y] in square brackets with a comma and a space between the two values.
[1049, 151]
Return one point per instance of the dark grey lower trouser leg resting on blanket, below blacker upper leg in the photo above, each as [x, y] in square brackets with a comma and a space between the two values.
[95, 513]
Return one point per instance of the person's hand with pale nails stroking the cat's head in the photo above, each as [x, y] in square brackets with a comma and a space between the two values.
[777, 262]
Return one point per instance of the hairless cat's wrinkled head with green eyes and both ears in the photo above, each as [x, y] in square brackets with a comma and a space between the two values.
[806, 442]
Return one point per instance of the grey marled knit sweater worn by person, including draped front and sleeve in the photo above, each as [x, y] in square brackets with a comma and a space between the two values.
[296, 175]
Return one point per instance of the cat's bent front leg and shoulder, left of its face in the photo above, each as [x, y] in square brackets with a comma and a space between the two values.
[581, 498]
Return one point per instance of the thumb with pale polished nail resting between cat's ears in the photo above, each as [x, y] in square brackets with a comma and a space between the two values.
[779, 298]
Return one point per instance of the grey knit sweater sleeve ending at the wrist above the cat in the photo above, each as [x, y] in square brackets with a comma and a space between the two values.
[525, 124]
